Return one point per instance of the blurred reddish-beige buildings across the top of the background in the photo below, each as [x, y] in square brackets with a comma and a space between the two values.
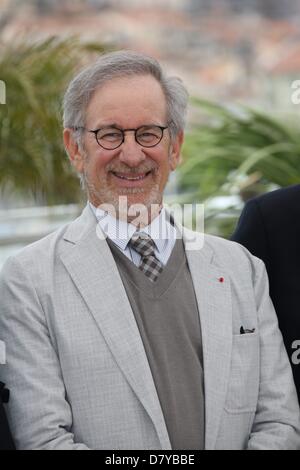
[245, 50]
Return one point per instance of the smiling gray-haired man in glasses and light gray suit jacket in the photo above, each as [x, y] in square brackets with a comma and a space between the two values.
[124, 330]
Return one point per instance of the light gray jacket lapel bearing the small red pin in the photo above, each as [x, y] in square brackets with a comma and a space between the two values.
[214, 303]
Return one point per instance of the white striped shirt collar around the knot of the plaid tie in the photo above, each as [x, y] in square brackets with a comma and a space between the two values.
[120, 231]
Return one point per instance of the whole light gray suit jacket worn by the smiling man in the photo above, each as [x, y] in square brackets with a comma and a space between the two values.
[77, 368]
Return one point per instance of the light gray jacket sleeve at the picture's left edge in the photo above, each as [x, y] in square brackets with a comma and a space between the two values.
[38, 411]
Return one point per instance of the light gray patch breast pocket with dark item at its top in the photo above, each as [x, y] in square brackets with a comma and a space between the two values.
[243, 384]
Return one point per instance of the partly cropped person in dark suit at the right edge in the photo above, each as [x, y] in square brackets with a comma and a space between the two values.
[270, 228]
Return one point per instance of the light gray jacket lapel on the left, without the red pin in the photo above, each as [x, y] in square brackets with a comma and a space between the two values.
[92, 267]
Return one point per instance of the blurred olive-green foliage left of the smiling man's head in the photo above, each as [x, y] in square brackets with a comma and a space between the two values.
[32, 157]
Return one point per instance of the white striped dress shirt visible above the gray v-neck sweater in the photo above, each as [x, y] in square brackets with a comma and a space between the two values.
[120, 232]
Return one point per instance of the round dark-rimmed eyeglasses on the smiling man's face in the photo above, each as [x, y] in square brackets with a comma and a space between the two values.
[111, 138]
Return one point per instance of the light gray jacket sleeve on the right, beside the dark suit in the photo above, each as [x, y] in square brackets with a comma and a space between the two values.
[277, 420]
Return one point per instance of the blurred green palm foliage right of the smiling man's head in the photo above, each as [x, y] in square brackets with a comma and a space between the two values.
[237, 151]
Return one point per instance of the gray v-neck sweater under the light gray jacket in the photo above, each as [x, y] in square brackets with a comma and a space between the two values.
[167, 316]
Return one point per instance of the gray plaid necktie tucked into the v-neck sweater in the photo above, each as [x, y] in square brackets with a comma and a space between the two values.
[150, 265]
